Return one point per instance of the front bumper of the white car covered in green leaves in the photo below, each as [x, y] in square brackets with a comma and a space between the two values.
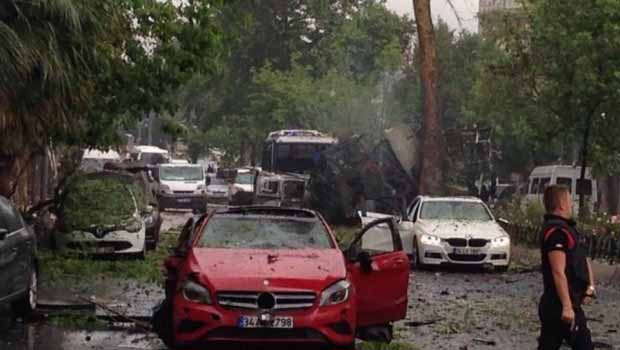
[116, 242]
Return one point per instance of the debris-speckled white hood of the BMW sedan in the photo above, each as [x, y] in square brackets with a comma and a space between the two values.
[461, 229]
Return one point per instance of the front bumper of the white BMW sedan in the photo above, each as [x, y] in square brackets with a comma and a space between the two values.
[446, 254]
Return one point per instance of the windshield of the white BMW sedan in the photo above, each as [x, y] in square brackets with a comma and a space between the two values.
[452, 210]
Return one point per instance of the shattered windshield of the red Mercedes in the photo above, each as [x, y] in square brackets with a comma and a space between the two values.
[264, 232]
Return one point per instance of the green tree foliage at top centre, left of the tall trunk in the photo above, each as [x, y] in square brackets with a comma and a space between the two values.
[328, 65]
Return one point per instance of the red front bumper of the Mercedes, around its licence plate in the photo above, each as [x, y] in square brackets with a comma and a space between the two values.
[199, 324]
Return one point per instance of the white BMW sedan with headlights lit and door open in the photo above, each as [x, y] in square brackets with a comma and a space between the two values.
[452, 230]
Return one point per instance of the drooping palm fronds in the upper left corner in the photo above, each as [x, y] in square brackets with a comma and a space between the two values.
[45, 59]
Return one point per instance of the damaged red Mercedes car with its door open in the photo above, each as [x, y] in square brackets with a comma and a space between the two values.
[277, 275]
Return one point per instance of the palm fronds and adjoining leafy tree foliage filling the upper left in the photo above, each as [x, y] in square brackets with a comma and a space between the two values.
[74, 71]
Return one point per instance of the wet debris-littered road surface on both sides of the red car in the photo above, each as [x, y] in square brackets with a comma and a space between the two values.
[449, 309]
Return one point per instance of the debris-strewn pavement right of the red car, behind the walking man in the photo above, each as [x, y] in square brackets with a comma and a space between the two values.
[483, 310]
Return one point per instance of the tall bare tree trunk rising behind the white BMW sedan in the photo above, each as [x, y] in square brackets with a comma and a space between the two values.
[432, 150]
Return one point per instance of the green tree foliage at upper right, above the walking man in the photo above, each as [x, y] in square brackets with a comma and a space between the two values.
[547, 72]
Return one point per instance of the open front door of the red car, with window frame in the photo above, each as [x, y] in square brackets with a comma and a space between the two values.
[380, 271]
